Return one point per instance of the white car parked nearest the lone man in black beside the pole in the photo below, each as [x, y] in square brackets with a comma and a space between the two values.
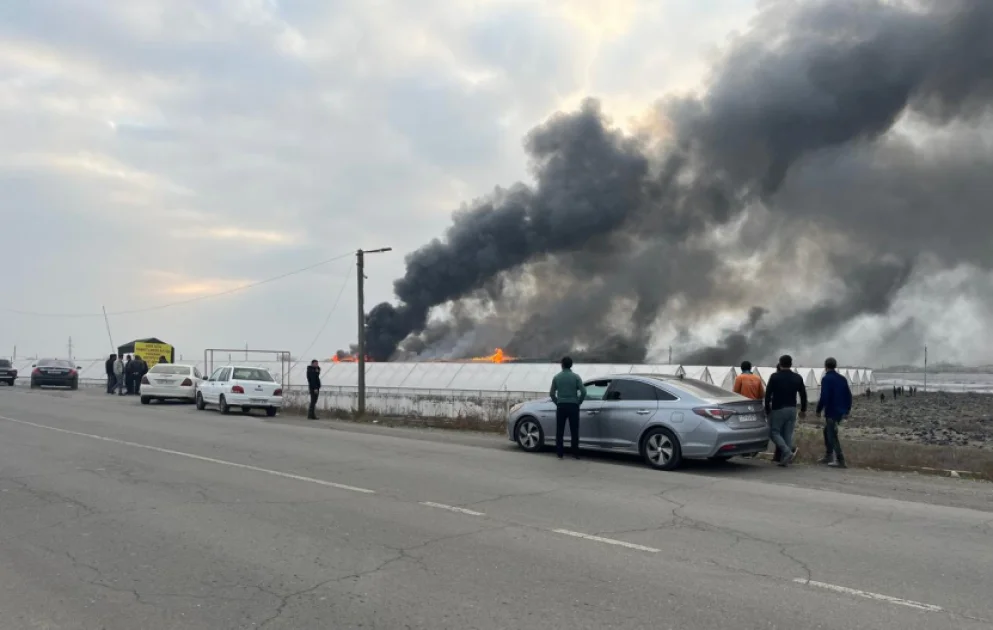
[241, 386]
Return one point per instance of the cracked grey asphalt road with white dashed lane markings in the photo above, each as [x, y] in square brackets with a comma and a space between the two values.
[115, 515]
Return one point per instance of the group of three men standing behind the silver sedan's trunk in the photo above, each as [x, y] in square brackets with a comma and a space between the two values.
[786, 391]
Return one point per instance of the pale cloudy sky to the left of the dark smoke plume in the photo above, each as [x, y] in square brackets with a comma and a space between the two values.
[160, 150]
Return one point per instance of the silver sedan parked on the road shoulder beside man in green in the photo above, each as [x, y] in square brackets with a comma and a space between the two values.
[665, 419]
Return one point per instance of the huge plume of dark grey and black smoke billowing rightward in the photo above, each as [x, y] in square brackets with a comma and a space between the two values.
[805, 128]
